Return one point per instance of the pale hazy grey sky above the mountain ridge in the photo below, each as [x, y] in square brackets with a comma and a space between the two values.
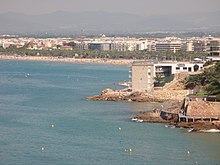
[141, 7]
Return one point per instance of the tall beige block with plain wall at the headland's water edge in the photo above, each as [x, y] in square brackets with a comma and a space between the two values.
[142, 77]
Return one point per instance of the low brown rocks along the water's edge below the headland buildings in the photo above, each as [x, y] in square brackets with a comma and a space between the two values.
[174, 100]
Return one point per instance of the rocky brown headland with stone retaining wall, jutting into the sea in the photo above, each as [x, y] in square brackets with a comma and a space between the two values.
[184, 109]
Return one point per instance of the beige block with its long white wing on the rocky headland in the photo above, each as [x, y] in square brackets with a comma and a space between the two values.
[143, 73]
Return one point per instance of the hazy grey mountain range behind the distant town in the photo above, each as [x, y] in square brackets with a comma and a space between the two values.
[106, 22]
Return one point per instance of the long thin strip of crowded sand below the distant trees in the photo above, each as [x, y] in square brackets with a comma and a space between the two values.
[73, 60]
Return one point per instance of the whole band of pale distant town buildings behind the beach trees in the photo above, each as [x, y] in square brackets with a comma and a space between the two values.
[119, 44]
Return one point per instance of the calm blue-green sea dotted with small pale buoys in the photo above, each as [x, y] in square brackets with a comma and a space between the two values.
[45, 119]
